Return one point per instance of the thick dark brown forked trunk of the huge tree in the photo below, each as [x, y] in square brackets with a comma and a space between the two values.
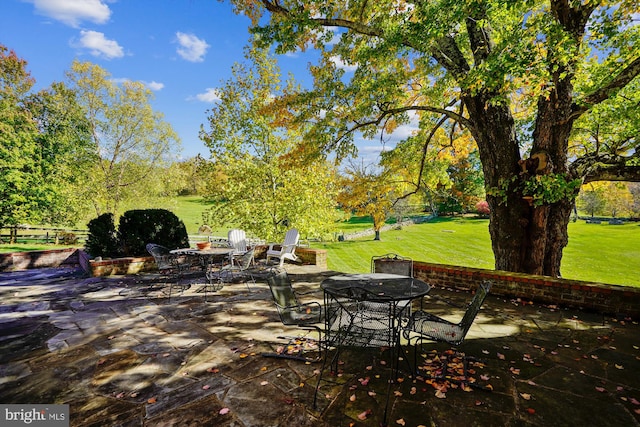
[525, 238]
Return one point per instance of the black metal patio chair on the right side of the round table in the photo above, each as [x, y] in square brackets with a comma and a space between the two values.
[425, 326]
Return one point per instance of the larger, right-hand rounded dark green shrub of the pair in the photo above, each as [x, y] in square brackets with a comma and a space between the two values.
[141, 226]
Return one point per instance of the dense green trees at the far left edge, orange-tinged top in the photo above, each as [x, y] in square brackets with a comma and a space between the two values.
[43, 150]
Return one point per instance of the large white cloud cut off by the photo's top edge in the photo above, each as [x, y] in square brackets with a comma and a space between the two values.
[73, 12]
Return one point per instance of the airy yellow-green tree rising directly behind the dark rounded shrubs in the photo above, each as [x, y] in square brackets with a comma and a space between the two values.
[131, 142]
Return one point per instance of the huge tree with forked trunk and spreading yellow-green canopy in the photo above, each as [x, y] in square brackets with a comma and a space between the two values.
[535, 83]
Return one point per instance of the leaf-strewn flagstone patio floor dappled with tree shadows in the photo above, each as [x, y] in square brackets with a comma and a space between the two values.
[118, 353]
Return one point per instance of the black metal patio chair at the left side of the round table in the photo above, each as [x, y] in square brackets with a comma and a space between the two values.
[294, 313]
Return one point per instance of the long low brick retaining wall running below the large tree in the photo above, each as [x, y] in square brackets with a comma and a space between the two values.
[600, 297]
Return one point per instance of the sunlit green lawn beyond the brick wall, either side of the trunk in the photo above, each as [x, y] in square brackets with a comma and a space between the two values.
[596, 252]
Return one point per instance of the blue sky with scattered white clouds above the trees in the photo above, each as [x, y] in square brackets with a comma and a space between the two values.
[182, 50]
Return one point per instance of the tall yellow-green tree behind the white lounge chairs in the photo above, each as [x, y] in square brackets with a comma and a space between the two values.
[259, 187]
